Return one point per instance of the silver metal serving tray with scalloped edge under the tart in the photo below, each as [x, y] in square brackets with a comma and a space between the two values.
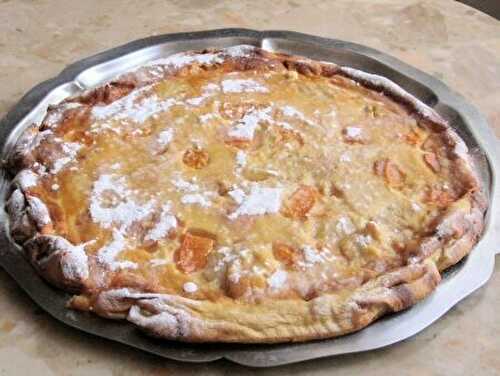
[457, 283]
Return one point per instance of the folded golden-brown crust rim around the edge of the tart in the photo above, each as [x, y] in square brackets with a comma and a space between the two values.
[67, 266]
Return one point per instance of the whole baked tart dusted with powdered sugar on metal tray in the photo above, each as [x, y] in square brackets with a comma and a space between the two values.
[240, 195]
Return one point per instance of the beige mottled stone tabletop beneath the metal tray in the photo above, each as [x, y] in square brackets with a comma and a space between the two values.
[444, 38]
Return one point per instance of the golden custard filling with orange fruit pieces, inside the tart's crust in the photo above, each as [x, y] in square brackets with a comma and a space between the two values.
[245, 185]
